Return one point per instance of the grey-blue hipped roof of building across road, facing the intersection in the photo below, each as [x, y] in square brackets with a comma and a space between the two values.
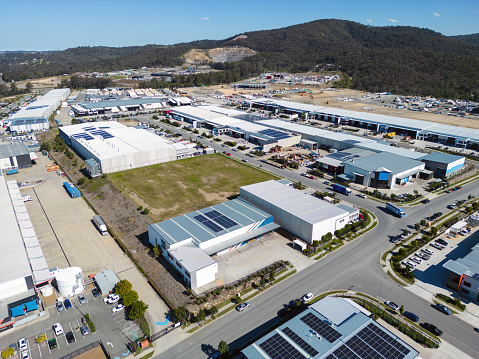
[395, 164]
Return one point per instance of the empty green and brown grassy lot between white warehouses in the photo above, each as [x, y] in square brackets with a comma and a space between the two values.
[175, 188]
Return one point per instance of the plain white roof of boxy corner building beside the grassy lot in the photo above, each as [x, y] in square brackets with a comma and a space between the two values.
[293, 201]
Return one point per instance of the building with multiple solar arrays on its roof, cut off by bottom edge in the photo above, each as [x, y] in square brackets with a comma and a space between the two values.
[332, 328]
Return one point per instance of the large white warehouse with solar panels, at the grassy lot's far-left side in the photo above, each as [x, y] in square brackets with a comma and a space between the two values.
[115, 147]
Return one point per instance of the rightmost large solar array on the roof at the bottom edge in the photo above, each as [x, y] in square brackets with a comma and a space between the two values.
[371, 342]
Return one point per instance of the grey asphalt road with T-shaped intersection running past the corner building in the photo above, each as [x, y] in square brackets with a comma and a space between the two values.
[354, 266]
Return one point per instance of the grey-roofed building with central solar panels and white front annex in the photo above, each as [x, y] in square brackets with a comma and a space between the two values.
[189, 241]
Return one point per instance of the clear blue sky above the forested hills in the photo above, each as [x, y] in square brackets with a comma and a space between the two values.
[54, 24]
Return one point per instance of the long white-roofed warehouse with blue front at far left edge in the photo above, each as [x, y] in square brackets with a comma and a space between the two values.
[22, 264]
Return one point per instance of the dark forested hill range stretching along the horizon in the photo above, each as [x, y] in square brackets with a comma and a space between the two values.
[403, 60]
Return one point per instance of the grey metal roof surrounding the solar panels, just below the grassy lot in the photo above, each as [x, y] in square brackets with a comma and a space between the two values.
[183, 227]
